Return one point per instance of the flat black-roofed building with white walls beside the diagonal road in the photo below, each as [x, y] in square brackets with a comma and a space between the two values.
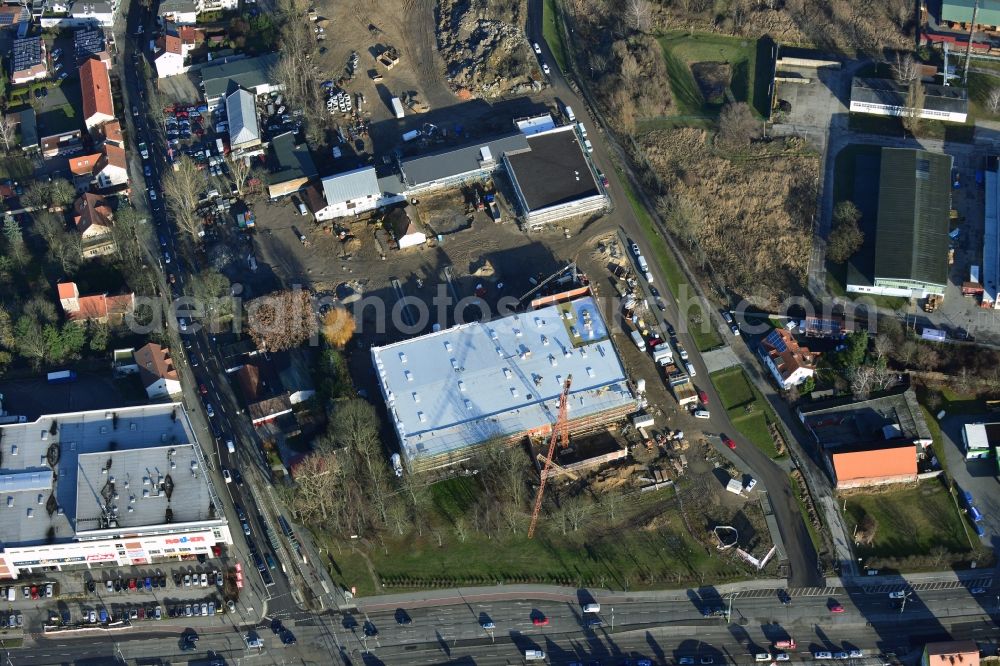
[554, 180]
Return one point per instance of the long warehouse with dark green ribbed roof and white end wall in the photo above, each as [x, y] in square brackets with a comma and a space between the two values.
[908, 256]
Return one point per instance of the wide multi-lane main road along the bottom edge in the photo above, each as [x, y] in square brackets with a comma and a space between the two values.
[661, 626]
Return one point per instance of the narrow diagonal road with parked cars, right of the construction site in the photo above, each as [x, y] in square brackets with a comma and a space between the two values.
[802, 556]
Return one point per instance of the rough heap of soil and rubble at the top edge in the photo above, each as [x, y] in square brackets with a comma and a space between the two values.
[484, 47]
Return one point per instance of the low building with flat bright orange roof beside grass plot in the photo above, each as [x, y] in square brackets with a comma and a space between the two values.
[874, 465]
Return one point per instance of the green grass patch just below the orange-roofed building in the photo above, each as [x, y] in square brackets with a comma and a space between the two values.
[911, 521]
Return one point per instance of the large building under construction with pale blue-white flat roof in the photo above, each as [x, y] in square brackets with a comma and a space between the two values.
[450, 392]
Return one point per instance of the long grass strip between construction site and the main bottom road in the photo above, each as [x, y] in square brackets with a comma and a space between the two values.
[641, 555]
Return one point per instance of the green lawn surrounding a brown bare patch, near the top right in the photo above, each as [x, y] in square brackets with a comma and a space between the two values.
[682, 49]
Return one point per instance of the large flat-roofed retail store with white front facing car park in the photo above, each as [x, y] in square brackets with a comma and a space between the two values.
[122, 486]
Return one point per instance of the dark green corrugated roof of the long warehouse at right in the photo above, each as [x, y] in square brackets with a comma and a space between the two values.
[911, 238]
